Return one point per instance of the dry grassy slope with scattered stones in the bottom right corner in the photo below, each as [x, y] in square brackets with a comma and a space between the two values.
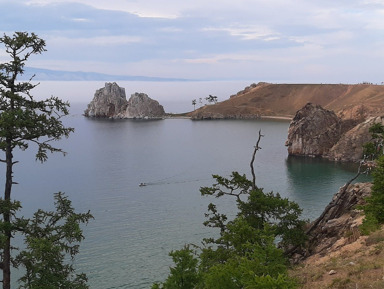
[359, 264]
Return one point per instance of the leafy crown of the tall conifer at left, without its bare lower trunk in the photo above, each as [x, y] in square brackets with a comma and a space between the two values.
[24, 120]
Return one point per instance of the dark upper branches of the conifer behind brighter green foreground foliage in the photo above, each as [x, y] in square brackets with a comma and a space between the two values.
[259, 209]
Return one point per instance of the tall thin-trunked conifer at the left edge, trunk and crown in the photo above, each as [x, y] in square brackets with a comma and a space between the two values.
[23, 121]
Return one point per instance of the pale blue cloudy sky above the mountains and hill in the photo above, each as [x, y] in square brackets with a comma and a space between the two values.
[257, 40]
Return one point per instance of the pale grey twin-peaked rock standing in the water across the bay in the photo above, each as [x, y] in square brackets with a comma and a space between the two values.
[111, 102]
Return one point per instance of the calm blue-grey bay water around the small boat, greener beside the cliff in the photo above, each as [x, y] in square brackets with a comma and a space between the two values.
[127, 244]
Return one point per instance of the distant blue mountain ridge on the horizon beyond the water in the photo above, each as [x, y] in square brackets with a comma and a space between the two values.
[59, 75]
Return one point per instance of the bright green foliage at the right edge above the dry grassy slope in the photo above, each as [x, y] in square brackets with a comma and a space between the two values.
[374, 208]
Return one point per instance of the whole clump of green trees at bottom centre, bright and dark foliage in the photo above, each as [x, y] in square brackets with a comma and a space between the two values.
[245, 254]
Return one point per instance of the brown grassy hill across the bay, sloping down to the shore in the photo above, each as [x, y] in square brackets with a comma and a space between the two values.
[285, 99]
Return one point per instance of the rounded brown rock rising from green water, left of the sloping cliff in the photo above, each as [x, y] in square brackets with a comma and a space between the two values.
[313, 131]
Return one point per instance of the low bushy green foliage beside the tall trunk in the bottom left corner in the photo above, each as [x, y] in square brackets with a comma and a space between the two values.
[51, 240]
